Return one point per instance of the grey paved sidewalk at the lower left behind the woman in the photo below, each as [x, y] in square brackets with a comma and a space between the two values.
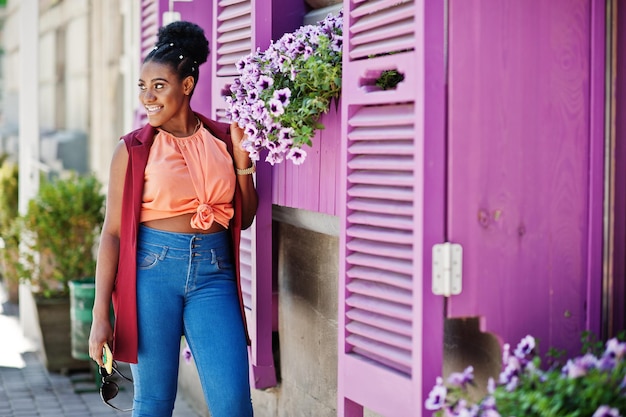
[27, 389]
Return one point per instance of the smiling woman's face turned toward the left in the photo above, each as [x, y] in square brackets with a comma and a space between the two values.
[163, 94]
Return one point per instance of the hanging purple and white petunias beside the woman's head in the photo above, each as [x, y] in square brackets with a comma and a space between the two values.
[281, 92]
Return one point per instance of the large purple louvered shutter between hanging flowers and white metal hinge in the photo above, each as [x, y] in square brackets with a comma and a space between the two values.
[390, 325]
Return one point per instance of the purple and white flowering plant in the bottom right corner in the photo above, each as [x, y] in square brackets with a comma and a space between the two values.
[586, 386]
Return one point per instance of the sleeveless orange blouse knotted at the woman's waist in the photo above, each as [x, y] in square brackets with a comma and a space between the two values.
[194, 174]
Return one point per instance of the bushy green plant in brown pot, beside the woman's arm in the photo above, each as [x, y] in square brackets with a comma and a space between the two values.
[59, 234]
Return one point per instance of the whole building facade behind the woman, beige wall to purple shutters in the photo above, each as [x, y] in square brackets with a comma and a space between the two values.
[504, 138]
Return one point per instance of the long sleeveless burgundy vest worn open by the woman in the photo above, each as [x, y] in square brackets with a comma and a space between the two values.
[138, 143]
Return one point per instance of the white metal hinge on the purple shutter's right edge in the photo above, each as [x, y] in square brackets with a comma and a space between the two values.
[447, 269]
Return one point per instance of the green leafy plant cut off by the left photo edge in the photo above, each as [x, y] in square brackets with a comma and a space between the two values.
[9, 231]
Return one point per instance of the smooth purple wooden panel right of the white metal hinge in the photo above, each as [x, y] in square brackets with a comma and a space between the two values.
[519, 158]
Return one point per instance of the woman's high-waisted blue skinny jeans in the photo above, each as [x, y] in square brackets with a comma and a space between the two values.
[186, 285]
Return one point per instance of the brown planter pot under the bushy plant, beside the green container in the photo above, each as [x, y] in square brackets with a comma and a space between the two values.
[55, 325]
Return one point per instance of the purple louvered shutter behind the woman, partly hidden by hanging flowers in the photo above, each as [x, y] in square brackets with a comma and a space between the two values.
[237, 32]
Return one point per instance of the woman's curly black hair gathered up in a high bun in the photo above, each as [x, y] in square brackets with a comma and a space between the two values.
[182, 46]
